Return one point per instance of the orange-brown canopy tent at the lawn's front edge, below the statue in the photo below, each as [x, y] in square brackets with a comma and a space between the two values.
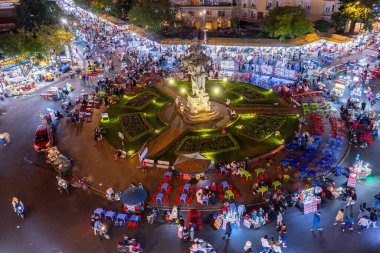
[192, 163]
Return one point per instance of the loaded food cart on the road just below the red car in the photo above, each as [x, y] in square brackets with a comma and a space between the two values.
[61, 164]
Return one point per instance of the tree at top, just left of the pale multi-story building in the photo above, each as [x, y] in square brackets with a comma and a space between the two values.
[154, 15]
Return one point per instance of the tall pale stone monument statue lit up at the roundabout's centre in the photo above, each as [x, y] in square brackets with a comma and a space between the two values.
[197, 63]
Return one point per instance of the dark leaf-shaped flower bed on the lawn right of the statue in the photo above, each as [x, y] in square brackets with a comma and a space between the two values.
[262, 127]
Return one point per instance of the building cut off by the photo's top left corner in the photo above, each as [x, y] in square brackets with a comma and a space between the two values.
[8, 14]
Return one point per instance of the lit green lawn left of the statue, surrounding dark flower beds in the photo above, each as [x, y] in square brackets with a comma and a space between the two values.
[150, 113]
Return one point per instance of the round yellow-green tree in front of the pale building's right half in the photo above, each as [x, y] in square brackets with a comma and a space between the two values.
[287, 22]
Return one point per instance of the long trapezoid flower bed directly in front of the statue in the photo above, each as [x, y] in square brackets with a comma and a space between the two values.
[208, 144]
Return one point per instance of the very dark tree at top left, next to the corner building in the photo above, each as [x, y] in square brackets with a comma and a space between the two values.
[33, 13]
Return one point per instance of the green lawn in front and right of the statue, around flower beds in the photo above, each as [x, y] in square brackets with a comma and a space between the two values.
[247, 147]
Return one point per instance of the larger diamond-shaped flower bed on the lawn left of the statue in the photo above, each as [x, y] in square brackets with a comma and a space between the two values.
[134, 125]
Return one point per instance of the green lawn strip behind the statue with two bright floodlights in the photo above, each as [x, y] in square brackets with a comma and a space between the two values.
[221, 91]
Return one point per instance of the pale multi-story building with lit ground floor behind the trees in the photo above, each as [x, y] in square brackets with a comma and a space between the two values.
[214, 14]
